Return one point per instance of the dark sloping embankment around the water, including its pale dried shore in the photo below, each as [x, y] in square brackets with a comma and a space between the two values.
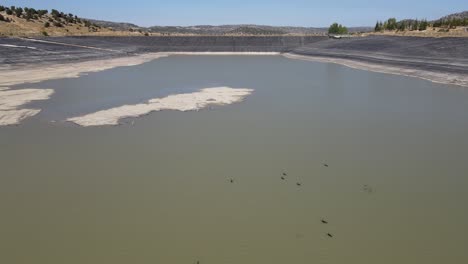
[26, 60]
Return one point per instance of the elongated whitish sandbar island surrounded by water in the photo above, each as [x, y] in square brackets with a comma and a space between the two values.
[181, 102]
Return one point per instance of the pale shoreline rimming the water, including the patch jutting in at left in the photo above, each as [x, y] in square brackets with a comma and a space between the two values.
[13, 100]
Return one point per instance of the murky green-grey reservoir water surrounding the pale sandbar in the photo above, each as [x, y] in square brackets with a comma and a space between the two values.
[159, 191]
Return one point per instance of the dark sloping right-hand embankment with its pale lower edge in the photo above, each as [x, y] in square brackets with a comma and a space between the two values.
[442, 60]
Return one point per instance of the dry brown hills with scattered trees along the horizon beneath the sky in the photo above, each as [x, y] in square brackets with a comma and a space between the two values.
[17, 21]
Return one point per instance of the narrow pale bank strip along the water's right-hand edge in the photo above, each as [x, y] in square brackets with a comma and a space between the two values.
[436, 77]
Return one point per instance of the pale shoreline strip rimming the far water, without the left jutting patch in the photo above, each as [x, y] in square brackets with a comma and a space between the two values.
[35, 73]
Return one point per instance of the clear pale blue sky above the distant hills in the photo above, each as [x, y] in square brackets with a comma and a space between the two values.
[272, 12]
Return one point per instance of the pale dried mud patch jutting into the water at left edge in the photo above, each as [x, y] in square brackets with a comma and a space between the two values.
[11, 100]
